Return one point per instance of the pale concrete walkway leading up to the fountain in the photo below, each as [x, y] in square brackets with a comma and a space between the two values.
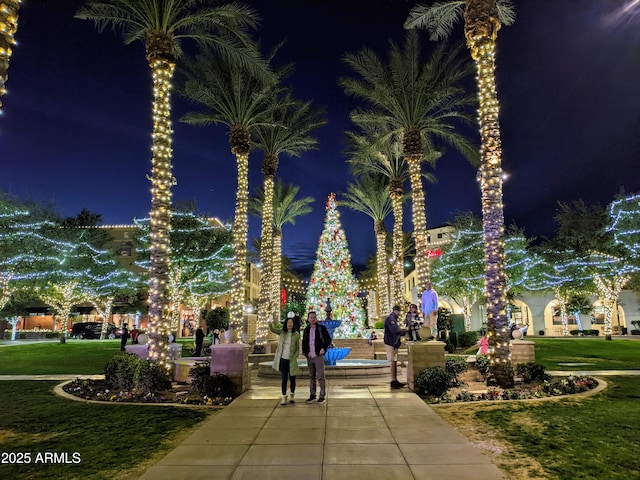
[361, 432]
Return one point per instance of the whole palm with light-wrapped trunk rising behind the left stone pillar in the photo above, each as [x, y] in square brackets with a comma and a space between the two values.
[233, 97]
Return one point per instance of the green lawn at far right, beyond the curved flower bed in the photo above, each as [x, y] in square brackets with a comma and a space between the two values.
[617, 354]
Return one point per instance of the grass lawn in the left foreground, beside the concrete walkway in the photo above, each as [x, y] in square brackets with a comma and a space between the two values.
[114, 442]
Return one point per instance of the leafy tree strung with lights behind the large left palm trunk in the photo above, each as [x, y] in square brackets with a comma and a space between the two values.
[201, 256]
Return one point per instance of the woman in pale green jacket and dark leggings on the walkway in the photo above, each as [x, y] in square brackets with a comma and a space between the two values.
[286, 357]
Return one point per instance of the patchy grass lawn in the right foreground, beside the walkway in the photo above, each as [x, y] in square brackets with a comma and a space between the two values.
[591, 438]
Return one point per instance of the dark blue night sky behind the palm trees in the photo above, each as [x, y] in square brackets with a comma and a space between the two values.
[76, 123]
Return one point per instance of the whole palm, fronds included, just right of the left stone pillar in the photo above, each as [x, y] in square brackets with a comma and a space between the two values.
[286, 133]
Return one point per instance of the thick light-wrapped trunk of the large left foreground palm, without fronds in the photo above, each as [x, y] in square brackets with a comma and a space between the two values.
[160, 224]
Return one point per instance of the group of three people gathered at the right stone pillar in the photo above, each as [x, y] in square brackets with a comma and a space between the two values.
[393, 332]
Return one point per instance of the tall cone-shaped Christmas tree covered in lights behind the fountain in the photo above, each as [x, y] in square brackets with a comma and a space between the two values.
[333, 278]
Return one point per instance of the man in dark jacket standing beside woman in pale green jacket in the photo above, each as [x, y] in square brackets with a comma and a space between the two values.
[315, 341]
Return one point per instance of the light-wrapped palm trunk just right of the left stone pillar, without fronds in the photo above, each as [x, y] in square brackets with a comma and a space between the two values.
[266, 255]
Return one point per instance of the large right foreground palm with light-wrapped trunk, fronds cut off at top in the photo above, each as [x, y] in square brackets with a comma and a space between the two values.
[482, 20]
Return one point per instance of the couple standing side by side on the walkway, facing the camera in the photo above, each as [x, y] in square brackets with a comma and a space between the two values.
[315, 341]
